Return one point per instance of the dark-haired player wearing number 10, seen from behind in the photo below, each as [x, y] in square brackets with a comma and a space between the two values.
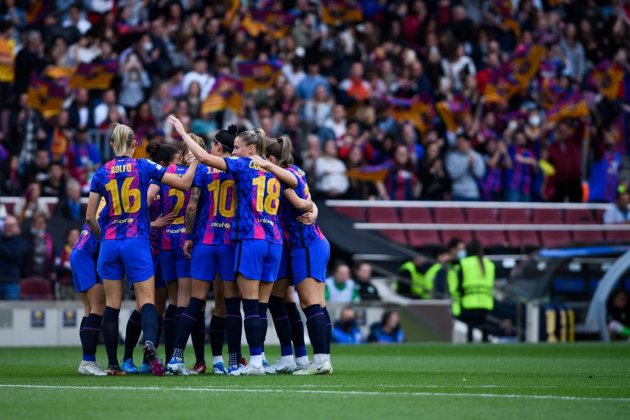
[212, 259]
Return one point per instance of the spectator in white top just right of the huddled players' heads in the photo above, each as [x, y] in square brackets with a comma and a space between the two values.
[330, 172]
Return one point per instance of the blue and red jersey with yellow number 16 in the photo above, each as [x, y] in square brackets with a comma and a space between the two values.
[124, 182]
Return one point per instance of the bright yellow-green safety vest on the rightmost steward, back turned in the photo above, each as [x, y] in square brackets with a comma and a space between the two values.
[476, 285]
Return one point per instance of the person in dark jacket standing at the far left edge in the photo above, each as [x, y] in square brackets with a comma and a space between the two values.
[13, 252]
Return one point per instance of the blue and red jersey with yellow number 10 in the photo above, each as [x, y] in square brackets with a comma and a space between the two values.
[216, 207]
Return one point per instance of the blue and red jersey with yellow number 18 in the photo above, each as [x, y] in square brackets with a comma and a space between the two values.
[257, 194]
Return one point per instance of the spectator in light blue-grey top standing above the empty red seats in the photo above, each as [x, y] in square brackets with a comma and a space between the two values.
[465, 168]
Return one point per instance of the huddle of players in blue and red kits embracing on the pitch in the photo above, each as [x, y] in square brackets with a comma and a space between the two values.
[239, 219]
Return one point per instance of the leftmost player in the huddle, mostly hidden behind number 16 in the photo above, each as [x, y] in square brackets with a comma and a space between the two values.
[86, 281]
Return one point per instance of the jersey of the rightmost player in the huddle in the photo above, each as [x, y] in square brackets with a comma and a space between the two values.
[296, 234]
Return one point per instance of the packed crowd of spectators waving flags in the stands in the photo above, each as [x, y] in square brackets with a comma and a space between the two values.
[382, 99]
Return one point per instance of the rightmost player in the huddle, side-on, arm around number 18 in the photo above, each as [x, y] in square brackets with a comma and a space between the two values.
[308, 257]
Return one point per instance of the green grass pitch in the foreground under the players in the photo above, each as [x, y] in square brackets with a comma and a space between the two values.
[573, 381]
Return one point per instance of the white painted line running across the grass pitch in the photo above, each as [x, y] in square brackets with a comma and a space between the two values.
[324, 392]
